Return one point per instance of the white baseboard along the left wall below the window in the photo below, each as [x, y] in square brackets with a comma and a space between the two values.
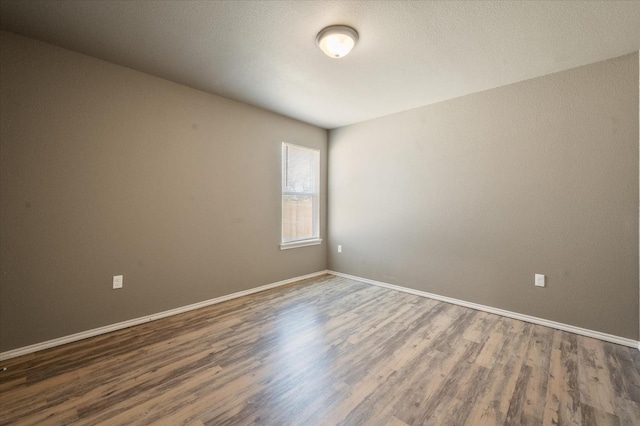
[118, 326]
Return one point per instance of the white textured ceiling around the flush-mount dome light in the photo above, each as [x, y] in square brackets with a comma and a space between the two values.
[410, 53]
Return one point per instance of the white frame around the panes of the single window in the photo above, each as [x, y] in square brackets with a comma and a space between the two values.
[315, 197]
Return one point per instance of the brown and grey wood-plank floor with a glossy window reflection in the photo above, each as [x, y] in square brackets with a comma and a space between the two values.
[322, 352]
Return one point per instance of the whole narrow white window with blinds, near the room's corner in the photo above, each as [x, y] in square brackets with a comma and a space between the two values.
[300, 196]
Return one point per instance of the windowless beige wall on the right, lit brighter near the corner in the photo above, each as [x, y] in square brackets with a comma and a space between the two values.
[471, 197]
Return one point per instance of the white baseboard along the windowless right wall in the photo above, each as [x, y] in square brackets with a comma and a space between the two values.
[535, 320]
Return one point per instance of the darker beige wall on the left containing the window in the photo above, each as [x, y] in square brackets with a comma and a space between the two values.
[108, 171]
